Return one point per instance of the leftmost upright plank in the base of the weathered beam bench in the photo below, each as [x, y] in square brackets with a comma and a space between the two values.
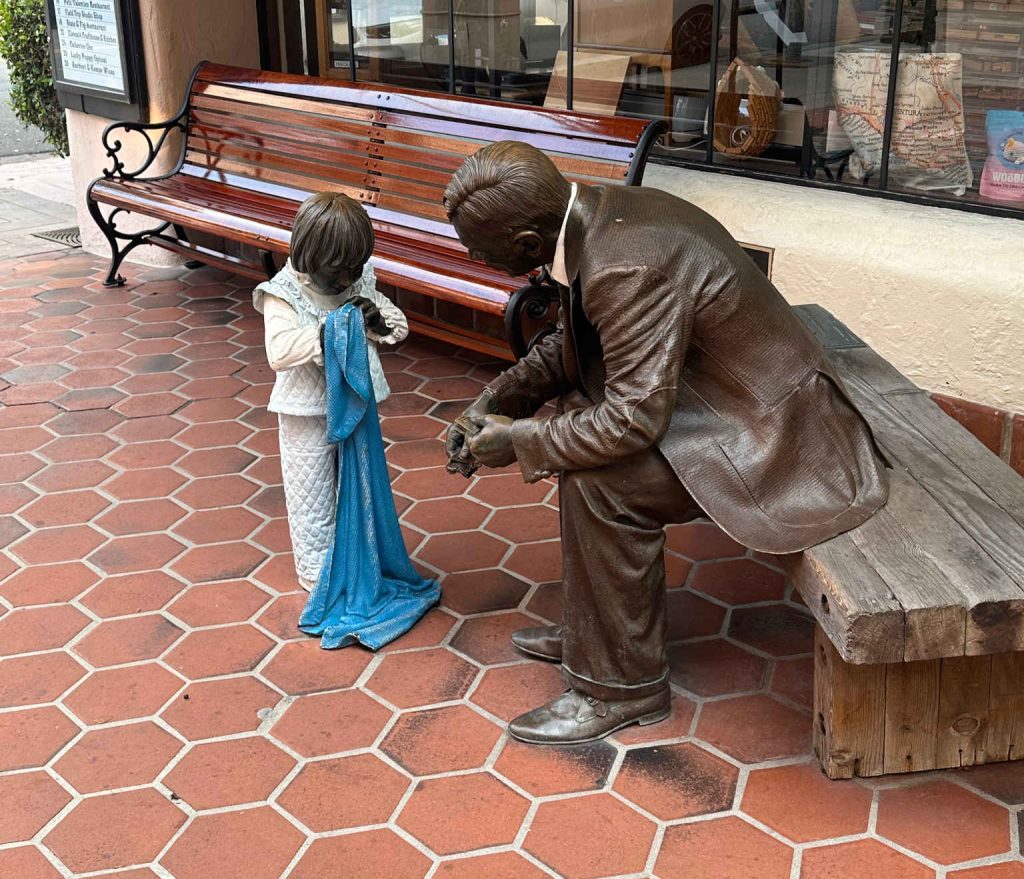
[849, 714]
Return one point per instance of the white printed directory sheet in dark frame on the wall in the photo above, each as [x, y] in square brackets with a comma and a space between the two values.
[92, 54]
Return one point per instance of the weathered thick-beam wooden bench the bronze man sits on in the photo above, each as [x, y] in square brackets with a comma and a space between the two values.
[920, 650]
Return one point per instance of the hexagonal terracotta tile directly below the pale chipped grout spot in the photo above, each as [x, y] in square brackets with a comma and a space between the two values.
[224, 774]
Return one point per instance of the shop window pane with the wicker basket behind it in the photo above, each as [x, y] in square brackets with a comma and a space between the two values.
[802, 86]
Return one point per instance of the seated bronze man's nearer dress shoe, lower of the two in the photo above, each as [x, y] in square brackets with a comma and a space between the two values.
[575, 718]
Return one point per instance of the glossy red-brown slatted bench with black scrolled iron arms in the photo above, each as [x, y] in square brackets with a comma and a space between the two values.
[257, 144]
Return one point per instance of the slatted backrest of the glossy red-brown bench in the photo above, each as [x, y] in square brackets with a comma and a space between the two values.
[394, 150]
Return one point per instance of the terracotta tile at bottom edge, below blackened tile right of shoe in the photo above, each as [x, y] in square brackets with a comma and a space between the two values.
[726, 849]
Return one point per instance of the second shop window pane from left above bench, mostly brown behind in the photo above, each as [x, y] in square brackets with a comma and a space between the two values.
[506, 50]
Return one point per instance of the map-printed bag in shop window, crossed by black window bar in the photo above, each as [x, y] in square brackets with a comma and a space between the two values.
[928, 152]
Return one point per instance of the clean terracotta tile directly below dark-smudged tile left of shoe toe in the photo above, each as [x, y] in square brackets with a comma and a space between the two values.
[463, 813]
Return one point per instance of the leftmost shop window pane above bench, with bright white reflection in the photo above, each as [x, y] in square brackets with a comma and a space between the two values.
[402, 43]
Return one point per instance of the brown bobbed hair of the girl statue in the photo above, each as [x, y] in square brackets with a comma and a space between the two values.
[331, 232]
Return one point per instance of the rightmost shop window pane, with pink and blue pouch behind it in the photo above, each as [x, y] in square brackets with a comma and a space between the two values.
[963, 97]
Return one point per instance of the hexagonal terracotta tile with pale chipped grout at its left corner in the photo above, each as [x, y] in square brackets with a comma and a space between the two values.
[331, 723]
